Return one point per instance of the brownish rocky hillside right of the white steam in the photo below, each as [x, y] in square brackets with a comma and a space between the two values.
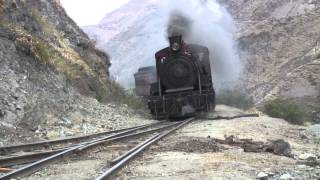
[279, 41]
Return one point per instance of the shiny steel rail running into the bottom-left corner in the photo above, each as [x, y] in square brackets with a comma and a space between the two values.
[80, 147]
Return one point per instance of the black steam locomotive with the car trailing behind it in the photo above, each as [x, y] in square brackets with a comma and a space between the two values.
[180, 85]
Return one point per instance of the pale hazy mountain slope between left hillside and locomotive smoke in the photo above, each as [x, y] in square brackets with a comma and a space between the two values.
[131, 34]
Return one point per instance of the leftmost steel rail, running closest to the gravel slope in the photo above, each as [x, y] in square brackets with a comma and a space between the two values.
[39, 145]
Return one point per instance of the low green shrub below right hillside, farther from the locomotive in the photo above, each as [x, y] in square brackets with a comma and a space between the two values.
[285, 109]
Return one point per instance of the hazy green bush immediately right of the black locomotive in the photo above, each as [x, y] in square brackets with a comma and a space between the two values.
[234, 98]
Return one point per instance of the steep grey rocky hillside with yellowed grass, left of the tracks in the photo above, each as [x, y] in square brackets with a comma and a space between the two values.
[50, 72]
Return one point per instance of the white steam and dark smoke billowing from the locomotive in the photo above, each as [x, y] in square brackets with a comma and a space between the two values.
[207, 23]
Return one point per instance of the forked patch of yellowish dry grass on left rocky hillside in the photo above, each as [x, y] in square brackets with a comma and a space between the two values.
[55, 51]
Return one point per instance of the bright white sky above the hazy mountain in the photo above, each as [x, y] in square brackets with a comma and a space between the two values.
[90, 12]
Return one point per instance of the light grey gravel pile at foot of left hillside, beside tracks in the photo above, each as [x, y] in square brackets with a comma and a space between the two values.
[89, 116]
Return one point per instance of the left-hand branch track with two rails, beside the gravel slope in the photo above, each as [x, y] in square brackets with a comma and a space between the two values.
[34, 151]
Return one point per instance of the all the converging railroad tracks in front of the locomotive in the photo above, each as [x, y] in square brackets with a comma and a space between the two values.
[44, 158]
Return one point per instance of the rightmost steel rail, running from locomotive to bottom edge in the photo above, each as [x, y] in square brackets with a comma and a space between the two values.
[120, 164]
